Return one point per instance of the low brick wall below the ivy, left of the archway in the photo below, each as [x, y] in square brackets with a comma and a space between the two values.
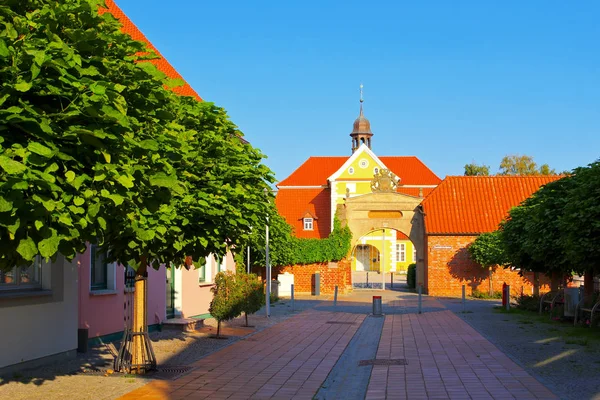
[332, 274]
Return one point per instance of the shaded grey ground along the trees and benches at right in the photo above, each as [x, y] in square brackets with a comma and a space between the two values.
[566, 364]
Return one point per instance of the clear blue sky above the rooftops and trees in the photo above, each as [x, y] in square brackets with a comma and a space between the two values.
[448, 81]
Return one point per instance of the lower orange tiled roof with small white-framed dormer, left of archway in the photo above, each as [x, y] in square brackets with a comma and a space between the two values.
[294, 203]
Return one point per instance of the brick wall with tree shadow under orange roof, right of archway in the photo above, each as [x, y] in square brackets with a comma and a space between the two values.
[448, 267]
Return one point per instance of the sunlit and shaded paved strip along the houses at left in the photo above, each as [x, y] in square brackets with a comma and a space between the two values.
[85, 376]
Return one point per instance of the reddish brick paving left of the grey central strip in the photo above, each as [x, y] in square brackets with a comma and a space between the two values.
[288, 360]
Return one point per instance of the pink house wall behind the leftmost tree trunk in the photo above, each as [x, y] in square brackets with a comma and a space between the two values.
[101, 312]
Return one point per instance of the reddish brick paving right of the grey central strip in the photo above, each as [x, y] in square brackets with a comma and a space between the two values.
[445, 359]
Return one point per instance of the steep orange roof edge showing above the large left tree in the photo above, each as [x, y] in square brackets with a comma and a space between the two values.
[161, 63]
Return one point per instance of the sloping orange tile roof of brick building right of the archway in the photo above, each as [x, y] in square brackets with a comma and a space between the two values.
[476, 204]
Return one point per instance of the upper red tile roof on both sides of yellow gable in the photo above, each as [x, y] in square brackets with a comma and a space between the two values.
[316, 170]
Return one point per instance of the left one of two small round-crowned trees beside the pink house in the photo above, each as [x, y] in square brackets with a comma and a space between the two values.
[227, 299]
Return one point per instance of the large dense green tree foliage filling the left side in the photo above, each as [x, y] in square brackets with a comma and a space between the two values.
[94, 148]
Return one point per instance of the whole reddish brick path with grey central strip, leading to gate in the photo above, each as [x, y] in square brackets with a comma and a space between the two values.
[315, 353]
